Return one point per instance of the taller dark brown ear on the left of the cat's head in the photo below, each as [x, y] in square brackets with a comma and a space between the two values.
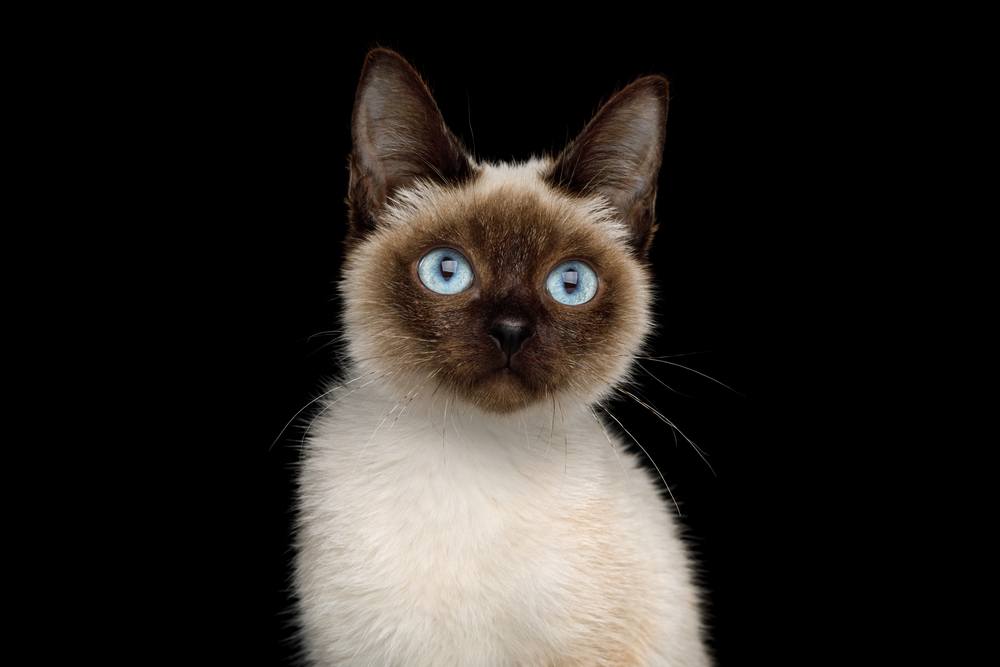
[399, 137]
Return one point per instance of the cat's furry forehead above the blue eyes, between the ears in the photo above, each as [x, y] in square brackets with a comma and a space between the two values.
[506, 213]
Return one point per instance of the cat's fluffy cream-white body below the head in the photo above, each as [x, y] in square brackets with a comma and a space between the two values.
[465, 539]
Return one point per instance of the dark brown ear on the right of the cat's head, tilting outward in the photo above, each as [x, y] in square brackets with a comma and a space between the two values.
[618, 155]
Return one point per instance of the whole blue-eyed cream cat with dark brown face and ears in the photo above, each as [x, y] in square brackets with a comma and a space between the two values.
[460, 500]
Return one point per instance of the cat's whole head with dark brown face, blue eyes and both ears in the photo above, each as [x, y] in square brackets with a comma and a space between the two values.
[502, 285]
